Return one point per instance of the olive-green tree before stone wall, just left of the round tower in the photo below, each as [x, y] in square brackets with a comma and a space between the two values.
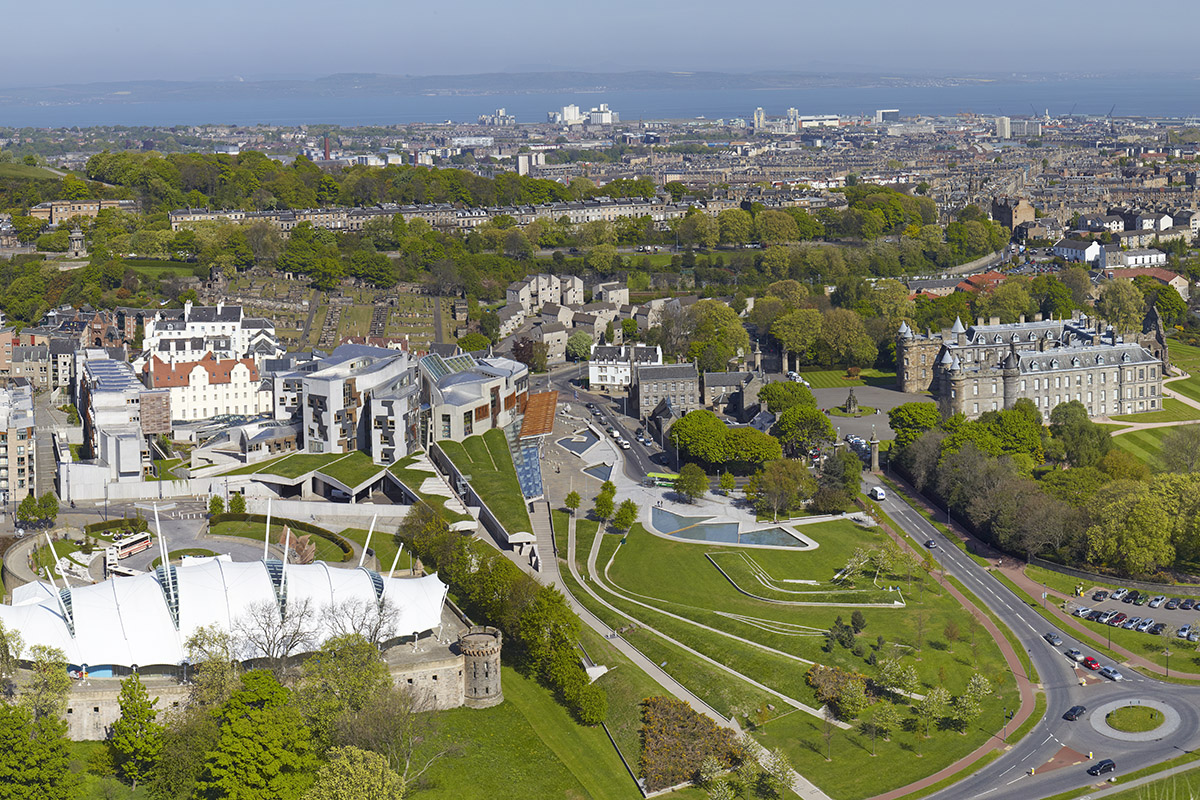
[343, 677]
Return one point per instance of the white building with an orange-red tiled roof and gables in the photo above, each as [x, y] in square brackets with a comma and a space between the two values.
[211, 387]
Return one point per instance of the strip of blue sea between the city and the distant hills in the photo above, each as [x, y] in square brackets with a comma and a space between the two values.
[1177, 98]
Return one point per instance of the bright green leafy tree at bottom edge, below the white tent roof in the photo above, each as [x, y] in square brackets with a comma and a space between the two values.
[265, 750]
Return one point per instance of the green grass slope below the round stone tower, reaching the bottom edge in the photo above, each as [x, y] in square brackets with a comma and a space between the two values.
[526, 748]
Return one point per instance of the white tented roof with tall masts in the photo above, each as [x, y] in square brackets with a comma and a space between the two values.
[145, 621]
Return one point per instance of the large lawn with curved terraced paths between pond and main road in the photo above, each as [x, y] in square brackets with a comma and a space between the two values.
[773, 645]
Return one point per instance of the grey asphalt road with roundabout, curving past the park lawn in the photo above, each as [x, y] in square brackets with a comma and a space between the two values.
[1009, 778]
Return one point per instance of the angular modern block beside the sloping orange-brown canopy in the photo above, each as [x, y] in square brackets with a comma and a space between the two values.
[466, 396]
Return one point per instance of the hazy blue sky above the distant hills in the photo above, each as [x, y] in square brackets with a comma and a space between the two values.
[81, 41]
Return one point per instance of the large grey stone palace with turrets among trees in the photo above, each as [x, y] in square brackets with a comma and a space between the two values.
[988, 368]
